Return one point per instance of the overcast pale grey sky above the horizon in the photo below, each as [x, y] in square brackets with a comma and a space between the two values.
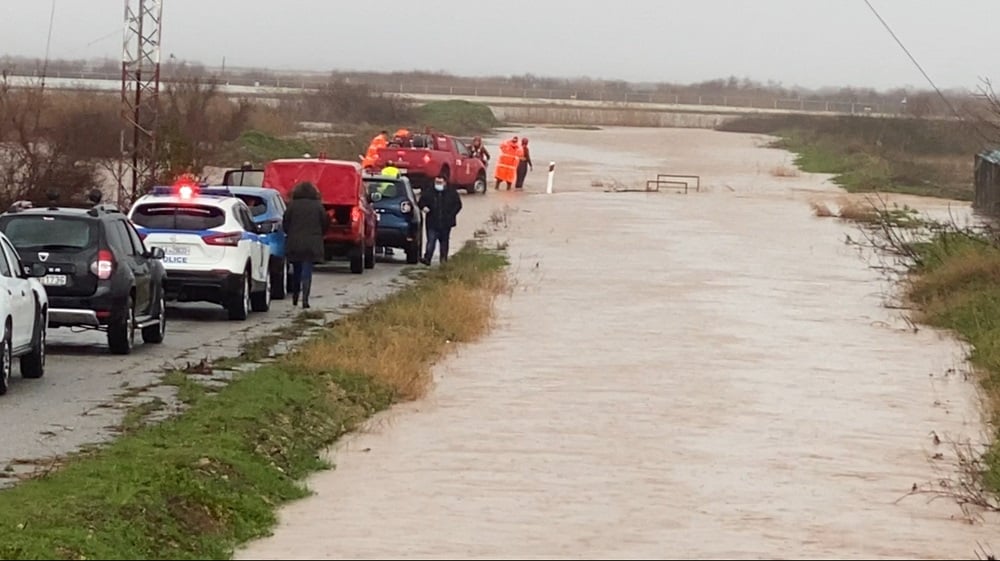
[806, 42]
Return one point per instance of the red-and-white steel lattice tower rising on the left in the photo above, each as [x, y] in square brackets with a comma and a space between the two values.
[140, 98]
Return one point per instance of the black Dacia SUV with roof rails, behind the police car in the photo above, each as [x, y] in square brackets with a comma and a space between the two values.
[98, 273]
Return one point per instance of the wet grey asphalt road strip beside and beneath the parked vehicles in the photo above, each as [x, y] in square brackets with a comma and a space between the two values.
[86, 390]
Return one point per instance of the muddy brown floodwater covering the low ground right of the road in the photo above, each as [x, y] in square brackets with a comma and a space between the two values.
[707, 375]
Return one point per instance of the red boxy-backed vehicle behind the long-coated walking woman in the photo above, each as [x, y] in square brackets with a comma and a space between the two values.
[352, 217]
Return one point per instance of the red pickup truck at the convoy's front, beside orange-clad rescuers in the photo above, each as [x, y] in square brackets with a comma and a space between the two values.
[434, 155]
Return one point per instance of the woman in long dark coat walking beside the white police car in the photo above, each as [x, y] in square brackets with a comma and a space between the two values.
[305, 222]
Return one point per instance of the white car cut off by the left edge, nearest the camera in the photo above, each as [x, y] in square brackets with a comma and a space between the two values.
[24, 309]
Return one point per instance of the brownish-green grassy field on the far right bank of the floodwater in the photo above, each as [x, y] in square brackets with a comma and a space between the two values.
[867, 154]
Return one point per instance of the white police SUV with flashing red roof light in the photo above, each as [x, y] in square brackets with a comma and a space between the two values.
[213, 249]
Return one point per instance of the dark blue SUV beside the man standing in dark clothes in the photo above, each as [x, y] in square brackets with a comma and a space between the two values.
[400, 222]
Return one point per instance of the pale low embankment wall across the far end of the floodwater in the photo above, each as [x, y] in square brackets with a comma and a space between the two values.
[555, 115]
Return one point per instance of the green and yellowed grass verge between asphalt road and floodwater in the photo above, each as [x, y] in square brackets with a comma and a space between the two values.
[197, 485]
